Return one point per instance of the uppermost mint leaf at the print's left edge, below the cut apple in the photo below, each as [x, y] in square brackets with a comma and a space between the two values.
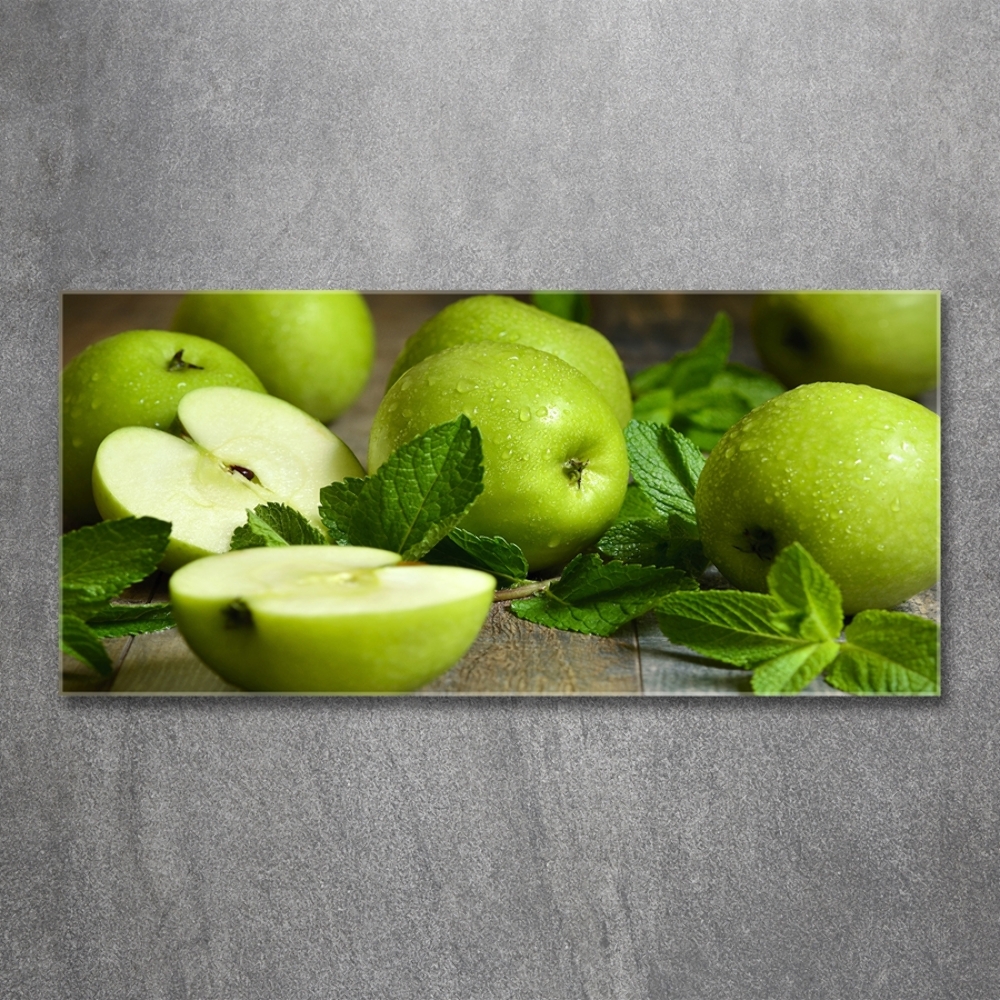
[100, 561]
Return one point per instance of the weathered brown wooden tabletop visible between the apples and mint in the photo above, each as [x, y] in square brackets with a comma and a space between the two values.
[510, 656]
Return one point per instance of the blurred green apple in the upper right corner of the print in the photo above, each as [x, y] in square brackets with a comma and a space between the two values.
[888, 340]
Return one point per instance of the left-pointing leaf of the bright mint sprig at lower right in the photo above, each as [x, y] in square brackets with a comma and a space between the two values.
[727, 625]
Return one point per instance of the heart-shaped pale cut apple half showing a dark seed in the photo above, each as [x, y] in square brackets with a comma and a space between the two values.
[238, 449]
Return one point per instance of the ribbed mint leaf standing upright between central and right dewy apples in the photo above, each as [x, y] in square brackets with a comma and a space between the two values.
[666, 466]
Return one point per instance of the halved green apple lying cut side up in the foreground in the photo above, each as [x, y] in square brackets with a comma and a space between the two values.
[339, 619]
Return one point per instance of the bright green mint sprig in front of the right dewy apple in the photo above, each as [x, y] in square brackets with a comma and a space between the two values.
[791, 635]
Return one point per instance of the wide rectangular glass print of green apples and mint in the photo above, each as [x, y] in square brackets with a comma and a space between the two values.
[542, 493]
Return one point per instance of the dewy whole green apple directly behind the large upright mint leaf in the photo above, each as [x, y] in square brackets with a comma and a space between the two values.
[555, 467]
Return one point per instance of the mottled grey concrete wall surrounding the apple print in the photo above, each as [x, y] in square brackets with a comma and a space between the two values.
[508, 848]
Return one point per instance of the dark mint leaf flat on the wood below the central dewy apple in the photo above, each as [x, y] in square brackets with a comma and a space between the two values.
[597, 597]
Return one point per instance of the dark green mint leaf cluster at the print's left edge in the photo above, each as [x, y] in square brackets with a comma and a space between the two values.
[98, 563]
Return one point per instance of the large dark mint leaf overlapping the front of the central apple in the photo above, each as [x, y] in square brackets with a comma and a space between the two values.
[424, 489]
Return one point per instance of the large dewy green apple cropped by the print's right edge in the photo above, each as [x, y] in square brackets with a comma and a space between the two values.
[851, 472]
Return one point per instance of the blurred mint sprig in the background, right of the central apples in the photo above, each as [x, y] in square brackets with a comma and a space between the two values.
[699, 392]
